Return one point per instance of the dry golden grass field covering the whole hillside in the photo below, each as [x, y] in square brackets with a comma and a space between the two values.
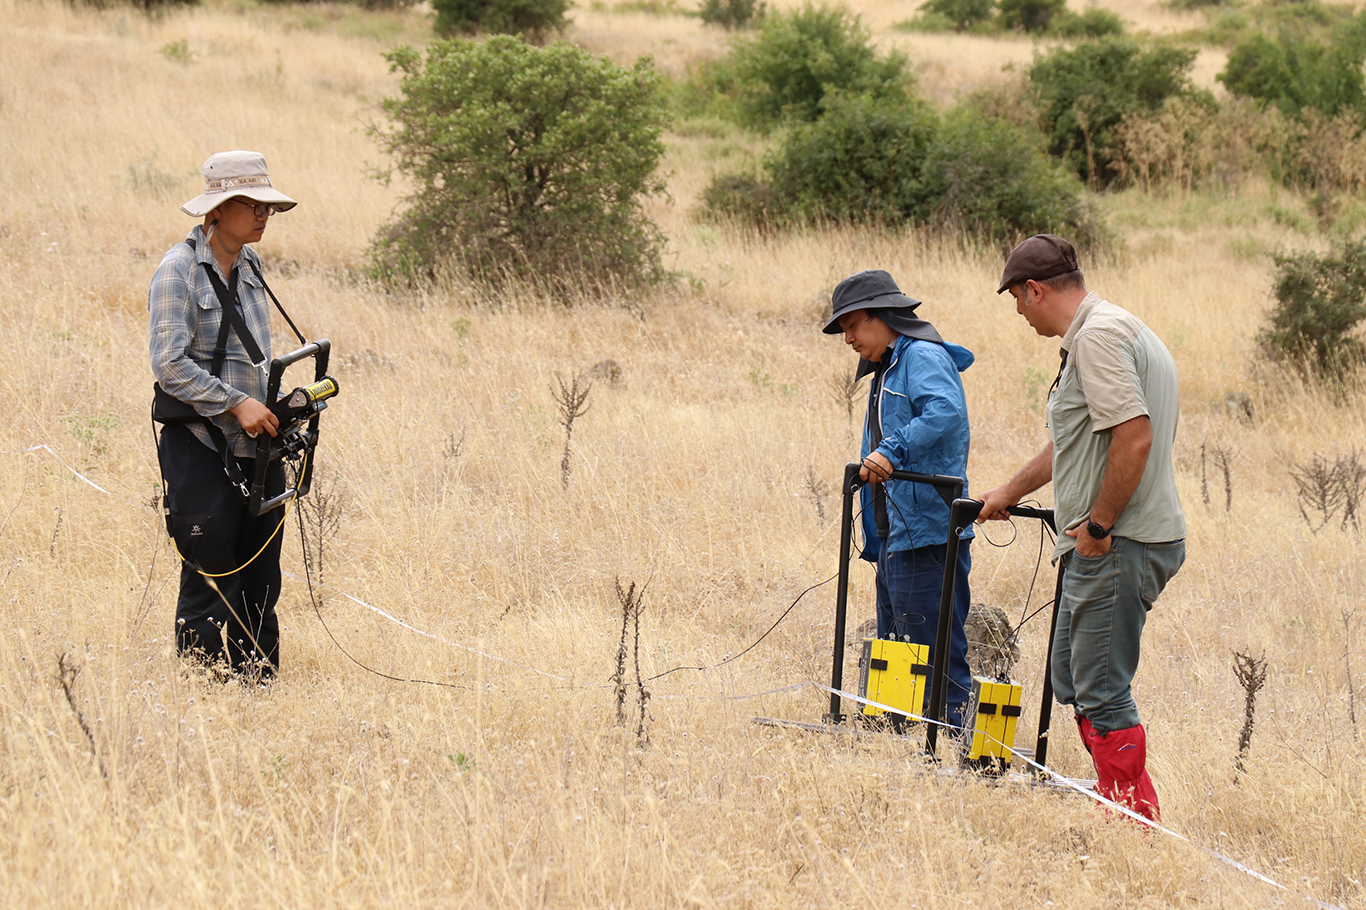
[706, 475]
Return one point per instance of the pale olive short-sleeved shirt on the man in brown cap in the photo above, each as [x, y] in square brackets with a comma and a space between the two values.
[1117, 370]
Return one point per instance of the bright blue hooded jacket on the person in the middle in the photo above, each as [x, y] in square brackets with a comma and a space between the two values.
[924, 416]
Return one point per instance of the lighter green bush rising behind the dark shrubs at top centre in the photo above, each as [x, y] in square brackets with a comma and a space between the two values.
[785, 72]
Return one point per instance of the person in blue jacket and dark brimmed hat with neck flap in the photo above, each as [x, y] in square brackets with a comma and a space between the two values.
[917, 422]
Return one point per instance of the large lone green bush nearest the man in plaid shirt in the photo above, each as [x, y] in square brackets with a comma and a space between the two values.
[527, 165]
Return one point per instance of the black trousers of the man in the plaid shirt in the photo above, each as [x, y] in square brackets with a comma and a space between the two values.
[230, 618]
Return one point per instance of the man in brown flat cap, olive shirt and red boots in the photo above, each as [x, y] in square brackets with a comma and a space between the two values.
[1113, 420]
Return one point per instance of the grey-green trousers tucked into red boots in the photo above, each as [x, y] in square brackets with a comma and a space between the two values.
[1100, 622]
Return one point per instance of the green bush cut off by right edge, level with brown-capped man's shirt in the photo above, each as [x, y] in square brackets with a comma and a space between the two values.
[1320, 304]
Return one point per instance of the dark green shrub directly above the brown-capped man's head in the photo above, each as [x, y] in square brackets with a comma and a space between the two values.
[987, 180]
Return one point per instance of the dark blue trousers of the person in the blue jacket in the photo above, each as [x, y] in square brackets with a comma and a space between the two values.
[909, 588]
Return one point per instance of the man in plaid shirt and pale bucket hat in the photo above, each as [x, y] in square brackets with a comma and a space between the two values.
[230, 579]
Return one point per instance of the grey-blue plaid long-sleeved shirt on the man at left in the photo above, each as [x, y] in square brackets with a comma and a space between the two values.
[184, 326]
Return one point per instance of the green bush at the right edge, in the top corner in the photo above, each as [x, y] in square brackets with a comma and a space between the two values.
[1296, 73]
